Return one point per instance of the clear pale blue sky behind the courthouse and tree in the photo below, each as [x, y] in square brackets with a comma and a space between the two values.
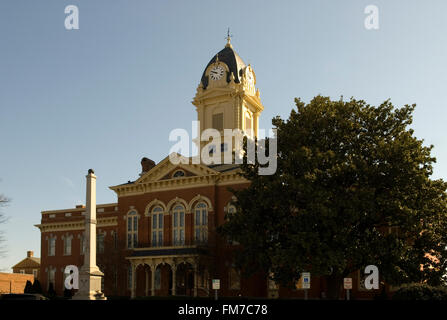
[108, 94]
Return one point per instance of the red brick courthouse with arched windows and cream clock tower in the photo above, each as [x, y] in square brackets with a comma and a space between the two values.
[159, 238]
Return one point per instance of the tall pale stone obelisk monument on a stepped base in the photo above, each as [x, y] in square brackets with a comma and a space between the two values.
[90, 275]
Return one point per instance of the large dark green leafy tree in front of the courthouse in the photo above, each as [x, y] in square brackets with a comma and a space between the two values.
[352, 188]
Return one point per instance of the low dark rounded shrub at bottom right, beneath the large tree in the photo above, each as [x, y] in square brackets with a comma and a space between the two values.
[418, 291]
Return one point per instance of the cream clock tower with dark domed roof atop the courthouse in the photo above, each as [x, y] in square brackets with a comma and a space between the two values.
[226, 97]
